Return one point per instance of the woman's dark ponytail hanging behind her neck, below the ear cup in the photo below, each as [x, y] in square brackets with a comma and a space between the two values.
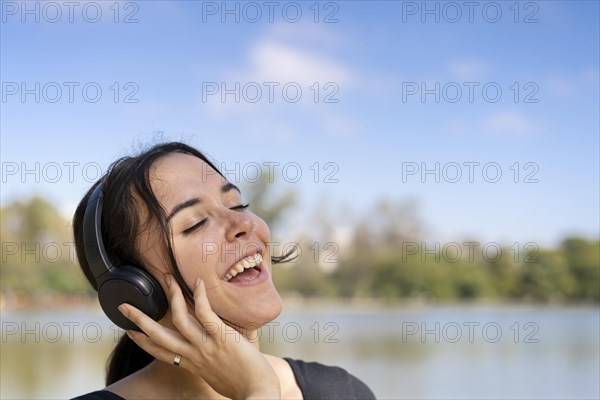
[126, 358]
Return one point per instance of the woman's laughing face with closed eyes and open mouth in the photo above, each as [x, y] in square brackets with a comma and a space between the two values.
[213, 239]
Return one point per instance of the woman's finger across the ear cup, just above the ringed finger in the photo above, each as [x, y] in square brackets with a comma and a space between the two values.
[160, 335]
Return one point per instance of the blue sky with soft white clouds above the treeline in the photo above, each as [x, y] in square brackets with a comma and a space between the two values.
[512, 86]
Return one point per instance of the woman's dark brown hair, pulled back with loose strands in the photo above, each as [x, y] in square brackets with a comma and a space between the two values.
[126, 183]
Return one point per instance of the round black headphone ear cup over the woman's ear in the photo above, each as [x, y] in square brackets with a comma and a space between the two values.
[131, 285]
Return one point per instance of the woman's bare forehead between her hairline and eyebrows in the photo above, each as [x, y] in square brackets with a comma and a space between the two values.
[182, 176]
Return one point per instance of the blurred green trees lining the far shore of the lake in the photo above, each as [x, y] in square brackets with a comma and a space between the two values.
[385, 258]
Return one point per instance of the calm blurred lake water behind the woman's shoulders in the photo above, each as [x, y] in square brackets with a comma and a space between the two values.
[445, 352]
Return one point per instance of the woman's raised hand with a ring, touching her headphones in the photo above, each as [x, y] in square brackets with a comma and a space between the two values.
[209, 348]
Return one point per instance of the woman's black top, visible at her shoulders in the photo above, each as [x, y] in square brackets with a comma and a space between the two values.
[316, 381]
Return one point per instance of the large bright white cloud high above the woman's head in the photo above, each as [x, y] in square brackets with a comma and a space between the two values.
[280, 57]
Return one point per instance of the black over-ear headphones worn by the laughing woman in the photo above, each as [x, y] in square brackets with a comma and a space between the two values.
[117, 285]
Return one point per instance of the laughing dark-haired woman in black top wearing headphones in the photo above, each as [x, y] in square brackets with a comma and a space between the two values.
[170, 212]
